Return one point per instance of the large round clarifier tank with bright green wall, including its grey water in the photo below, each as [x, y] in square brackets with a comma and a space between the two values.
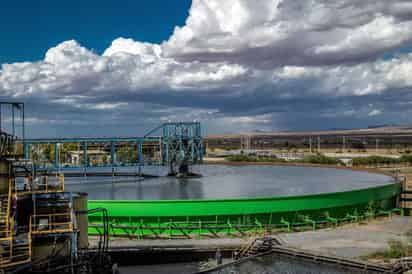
[235, 199]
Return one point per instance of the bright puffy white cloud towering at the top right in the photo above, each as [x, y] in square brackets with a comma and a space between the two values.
[271, 33]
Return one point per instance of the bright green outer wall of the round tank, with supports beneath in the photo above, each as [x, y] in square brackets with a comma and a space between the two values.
[173, 217]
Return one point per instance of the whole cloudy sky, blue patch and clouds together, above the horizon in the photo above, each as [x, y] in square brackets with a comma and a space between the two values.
[235, 65]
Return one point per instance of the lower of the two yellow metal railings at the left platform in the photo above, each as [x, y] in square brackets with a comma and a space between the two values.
[51, 223]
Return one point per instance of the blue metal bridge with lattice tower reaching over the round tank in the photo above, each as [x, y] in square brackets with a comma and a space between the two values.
[170, 144]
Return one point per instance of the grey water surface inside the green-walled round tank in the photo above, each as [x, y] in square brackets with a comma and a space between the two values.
[221, 181]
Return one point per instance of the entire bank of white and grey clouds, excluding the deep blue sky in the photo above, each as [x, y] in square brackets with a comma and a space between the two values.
[235, 63]
